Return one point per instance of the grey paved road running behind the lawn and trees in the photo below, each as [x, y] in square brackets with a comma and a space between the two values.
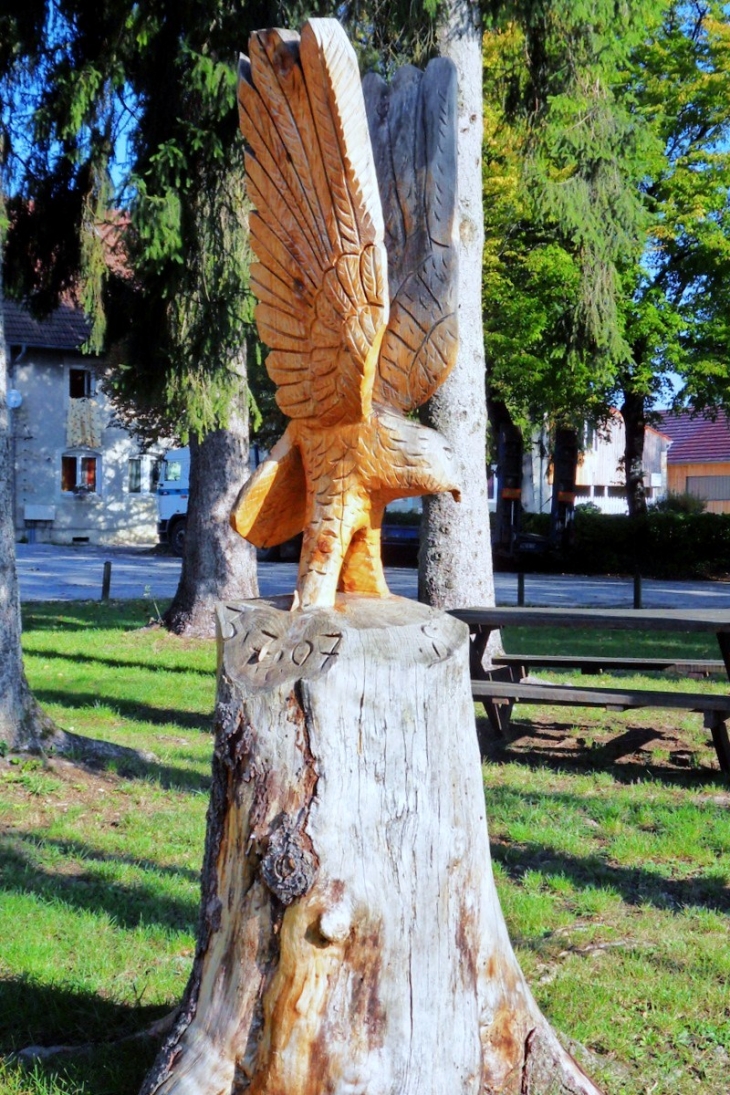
[48, 572]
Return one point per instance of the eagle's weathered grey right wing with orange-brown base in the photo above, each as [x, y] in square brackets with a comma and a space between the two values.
[413, 129]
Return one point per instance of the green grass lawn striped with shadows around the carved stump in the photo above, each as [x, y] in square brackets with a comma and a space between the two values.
[611, 844]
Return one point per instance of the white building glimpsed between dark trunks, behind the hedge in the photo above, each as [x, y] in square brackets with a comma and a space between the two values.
[600, 477]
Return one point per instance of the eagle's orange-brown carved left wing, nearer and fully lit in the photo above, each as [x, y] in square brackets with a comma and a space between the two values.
[318, 233]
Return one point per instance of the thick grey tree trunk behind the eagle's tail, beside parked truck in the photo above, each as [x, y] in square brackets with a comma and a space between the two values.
[218, 564]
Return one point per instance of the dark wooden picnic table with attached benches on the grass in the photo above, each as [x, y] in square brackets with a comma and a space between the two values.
[507, 682]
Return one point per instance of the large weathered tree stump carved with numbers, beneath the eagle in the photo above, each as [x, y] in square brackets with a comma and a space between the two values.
[352, 941]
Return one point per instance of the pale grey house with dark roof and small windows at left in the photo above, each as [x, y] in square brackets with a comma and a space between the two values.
[80, 477]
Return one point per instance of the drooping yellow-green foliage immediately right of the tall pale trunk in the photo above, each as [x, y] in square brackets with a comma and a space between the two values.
[566, 142]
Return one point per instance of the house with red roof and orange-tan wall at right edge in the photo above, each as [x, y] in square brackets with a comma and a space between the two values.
[699, 459]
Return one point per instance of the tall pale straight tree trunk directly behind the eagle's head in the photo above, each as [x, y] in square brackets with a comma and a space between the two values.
[456, 560]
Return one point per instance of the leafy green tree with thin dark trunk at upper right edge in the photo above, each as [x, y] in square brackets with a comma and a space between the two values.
[678, 299]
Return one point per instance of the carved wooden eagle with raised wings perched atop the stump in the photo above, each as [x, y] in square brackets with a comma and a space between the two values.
[351, 358]
